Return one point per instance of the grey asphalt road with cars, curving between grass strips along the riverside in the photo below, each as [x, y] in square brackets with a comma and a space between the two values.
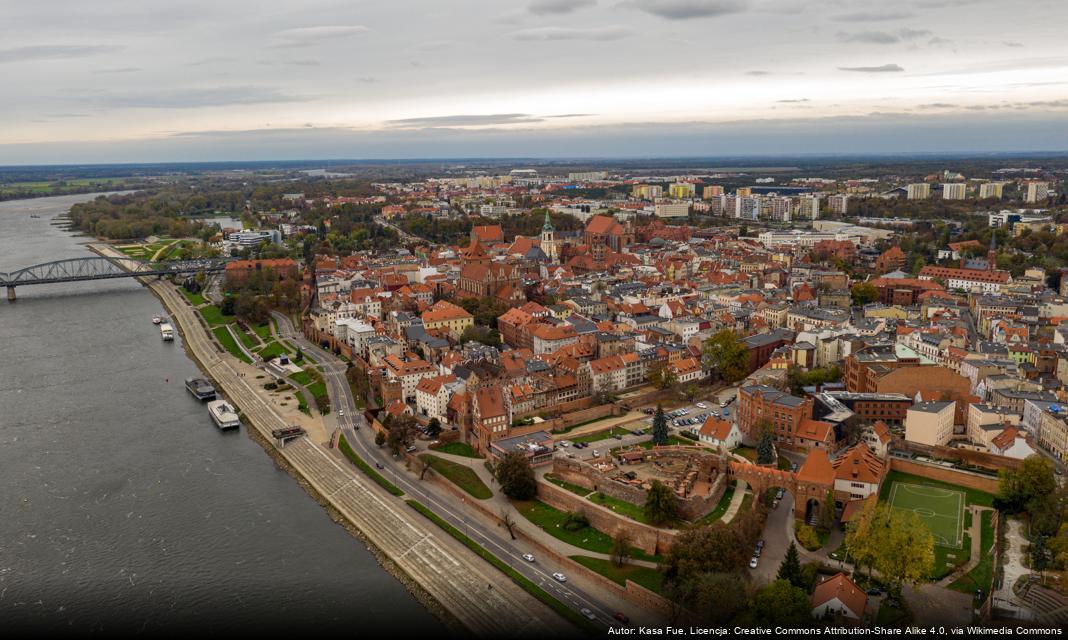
[360, 436]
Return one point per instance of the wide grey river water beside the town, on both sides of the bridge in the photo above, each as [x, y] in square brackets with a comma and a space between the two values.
[122, 507]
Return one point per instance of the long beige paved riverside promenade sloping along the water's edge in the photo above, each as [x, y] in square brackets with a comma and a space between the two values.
[453, 576]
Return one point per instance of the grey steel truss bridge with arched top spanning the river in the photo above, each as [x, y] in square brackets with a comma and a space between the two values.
[104, 269]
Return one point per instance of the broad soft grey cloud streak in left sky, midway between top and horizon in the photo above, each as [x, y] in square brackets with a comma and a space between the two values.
[193, 99]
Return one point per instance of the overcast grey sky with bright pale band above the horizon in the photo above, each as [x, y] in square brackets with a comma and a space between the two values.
[197, 81]
